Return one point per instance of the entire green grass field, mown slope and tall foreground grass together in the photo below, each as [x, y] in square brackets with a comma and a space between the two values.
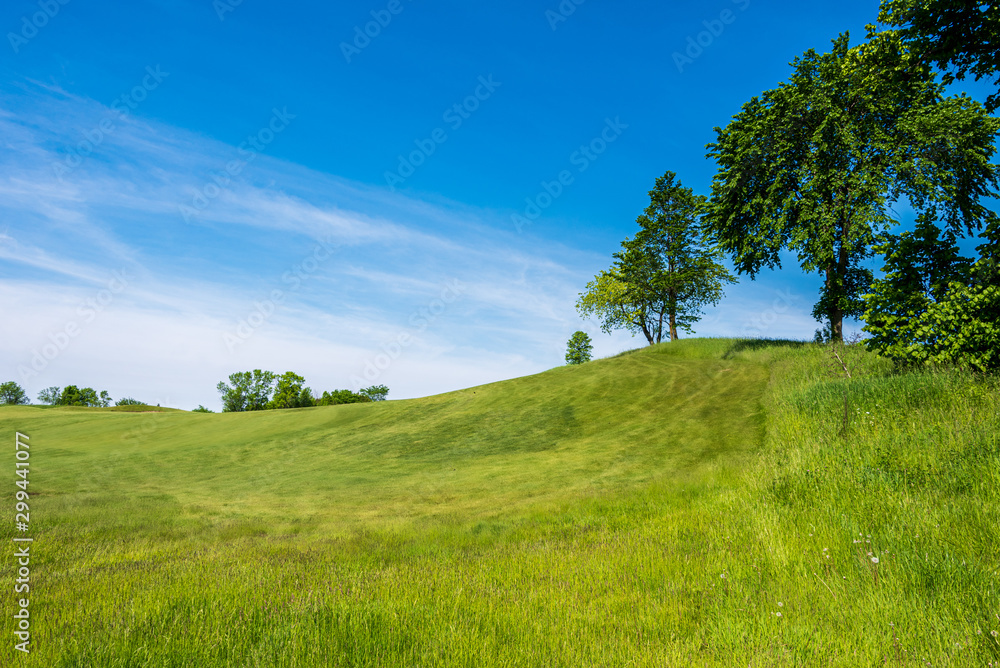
[707, 502]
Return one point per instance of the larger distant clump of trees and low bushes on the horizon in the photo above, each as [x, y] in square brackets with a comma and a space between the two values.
[259, 390]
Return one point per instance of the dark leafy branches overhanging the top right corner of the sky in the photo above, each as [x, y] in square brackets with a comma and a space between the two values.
[960, 37]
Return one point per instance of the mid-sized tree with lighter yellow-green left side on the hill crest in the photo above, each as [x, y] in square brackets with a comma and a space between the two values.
[665, 275]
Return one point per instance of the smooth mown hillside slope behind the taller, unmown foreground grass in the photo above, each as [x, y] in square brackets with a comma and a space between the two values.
[478, 453]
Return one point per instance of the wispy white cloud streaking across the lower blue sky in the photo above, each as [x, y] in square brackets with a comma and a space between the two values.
[246, 264]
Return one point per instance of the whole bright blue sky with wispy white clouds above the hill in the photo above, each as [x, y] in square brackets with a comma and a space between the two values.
[190, 188]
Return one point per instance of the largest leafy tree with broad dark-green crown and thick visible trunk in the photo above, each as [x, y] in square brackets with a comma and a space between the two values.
[814, 166]
